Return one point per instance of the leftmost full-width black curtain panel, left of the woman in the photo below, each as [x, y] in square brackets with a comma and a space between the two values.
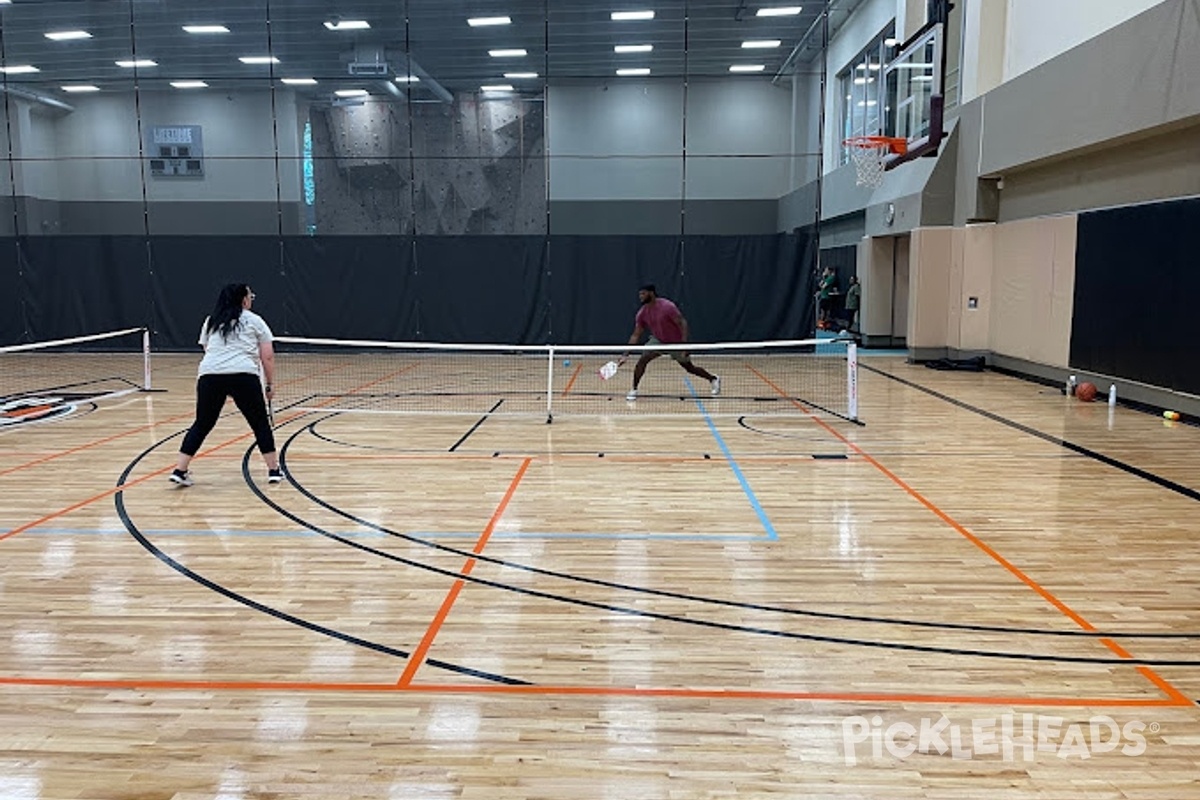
[74, 286]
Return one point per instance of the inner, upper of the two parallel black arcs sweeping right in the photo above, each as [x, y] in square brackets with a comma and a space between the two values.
[674, 596]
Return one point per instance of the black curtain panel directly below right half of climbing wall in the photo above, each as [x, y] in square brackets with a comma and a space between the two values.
[485, 290]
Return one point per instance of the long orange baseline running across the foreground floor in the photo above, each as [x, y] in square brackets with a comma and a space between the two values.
[592, 691]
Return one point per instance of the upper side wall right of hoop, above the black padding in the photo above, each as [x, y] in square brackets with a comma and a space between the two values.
[1113, 122]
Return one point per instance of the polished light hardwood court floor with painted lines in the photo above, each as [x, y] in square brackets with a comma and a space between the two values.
[614, 606]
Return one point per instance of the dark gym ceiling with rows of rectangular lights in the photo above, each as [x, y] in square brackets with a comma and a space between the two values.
[565, 39]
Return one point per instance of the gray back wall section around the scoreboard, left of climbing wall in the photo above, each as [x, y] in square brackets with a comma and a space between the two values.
[81, 173]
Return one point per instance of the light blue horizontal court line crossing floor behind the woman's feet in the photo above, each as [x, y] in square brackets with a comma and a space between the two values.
[422, 534]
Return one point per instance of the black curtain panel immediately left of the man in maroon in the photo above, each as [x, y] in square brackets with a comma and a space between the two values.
[595, 281]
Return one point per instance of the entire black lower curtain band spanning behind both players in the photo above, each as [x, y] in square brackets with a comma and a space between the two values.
[461, 290]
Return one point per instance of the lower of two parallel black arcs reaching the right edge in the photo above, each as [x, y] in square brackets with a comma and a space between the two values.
[667, 618]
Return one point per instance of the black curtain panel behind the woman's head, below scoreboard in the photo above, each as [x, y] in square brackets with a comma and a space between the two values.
[189, 272]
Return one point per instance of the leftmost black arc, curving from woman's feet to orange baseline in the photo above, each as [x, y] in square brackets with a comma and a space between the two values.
[119, 500]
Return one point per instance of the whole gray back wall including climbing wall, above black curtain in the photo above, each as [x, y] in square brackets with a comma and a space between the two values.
[625, 157]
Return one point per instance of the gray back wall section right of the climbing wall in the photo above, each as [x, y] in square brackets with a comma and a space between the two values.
[617, 157]
